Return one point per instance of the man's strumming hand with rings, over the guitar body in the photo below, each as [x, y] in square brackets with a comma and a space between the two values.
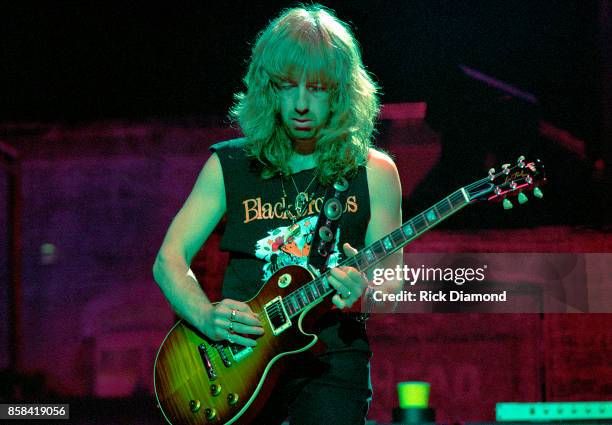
[229, 320]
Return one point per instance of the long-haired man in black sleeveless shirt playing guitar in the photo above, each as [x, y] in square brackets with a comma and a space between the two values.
[307, 114]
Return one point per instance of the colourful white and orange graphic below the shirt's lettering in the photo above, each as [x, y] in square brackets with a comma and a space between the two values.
[289, 245]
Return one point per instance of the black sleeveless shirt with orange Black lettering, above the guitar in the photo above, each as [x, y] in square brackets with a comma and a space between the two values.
[257, 232]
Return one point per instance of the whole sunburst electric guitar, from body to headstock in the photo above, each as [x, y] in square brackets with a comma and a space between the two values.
[199, 381]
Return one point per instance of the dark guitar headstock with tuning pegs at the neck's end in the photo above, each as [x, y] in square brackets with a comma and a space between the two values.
[512, 180]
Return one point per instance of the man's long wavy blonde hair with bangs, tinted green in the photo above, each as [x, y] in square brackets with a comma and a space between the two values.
[308, 39]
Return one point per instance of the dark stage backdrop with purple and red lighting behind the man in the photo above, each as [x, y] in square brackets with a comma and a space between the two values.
[112, 108]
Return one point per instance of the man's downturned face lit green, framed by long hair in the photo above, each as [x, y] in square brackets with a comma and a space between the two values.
[305, 108]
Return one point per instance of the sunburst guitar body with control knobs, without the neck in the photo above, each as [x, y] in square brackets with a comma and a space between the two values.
[199, 381]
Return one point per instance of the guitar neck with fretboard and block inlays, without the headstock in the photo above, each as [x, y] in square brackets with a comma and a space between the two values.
[314, 291]
